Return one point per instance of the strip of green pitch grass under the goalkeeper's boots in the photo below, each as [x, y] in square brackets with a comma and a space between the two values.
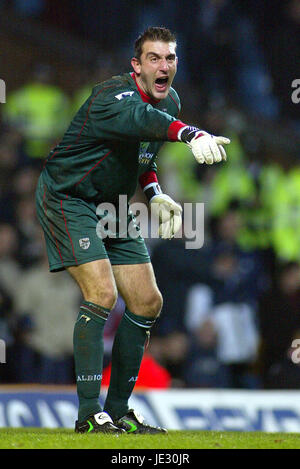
[37, 438]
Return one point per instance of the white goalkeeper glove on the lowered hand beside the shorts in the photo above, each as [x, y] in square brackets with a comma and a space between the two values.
[168, 212]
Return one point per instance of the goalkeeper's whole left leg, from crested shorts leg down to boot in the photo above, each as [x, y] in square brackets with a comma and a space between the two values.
[75, 246]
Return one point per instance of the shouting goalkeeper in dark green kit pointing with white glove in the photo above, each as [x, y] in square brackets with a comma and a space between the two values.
[110, 147]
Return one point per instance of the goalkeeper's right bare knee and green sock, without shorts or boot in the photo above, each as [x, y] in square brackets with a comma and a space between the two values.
[137, 285]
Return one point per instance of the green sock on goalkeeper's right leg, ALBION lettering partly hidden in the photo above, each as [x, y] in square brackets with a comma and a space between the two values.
[127, 354]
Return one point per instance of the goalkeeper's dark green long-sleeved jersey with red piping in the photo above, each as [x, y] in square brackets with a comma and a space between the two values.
[114, 137]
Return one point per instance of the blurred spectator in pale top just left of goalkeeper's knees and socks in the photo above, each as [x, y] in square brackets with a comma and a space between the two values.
[44, 352]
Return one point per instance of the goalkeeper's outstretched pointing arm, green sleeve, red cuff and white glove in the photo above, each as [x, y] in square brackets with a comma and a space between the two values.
[116, 115]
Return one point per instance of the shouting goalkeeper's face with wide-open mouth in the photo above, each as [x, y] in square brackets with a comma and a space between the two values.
[156, 68]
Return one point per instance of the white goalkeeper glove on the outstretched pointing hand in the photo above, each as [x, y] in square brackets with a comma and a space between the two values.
[206, 148]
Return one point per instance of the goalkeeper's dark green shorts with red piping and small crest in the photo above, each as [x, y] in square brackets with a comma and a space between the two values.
[75, 234]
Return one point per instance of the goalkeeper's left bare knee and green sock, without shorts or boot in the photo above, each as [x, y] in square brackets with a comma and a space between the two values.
[97, 284]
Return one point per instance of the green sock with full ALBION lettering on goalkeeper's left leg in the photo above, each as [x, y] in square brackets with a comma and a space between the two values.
[88, 356]
